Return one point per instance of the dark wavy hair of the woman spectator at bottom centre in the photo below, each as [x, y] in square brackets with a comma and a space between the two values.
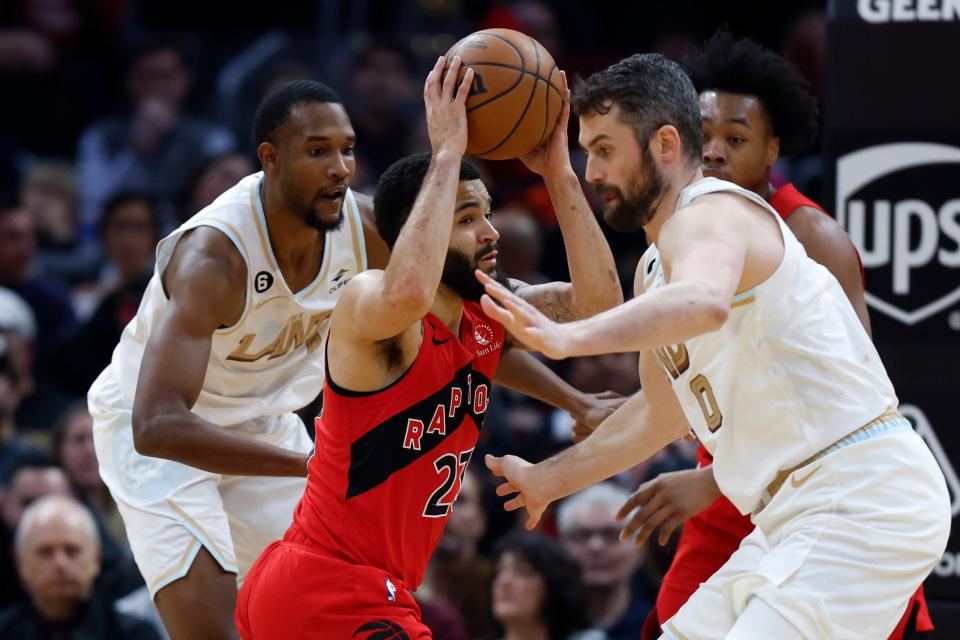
[564, 607]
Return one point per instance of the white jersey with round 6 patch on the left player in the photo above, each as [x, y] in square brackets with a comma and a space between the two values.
[271, 361]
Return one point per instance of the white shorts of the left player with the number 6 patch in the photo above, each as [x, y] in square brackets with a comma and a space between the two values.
[170, 510]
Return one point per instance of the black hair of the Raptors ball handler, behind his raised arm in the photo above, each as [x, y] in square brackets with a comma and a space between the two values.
[398, 188]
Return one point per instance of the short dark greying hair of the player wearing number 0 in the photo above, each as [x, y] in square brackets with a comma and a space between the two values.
[651, 92]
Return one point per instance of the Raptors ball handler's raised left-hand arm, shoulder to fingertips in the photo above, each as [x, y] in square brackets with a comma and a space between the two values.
[377, 305]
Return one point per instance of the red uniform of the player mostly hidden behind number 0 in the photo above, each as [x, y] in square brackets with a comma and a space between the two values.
[709, 538]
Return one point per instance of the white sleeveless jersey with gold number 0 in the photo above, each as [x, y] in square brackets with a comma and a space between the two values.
[789, 373]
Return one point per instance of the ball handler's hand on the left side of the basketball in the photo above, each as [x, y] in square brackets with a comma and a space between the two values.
[445, 105]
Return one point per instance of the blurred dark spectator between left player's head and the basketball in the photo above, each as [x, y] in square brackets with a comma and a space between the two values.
[383, 106]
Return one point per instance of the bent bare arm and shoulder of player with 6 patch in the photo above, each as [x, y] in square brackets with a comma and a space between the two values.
[203, 284]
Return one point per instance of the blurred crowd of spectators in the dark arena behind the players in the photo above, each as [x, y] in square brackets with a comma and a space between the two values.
[115, 128]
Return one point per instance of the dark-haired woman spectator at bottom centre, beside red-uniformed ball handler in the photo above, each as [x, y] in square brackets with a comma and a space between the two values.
[538, 592]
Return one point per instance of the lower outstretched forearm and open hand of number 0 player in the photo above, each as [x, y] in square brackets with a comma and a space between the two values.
[650, 420]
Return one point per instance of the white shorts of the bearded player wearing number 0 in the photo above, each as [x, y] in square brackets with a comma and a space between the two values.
[837, 552]
